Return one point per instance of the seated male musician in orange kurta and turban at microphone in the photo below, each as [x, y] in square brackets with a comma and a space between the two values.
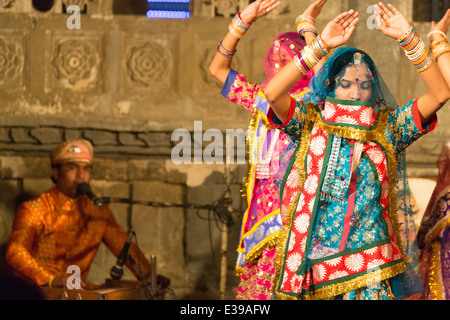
[59, 228]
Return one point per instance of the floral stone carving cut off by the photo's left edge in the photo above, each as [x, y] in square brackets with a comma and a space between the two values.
[11, 61]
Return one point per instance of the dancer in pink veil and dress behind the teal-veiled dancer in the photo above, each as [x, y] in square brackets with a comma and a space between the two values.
[270, 151]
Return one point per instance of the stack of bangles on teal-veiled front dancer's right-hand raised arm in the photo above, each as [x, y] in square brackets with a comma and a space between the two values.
[415, 50]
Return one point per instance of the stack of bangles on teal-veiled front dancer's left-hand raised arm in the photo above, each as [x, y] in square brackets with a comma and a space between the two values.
[311, 55]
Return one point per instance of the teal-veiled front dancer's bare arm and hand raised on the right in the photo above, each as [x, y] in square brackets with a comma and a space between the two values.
[395, 25]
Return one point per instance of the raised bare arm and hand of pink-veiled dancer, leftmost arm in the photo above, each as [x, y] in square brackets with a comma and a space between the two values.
[221, 64]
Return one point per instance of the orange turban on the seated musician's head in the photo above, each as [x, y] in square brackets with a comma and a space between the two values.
[72, 150]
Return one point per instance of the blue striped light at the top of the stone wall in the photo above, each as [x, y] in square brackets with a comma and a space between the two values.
[168, 9]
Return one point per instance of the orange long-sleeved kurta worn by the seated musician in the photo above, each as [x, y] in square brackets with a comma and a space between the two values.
[53, 231]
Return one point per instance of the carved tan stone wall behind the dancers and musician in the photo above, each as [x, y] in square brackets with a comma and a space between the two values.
[126, 83]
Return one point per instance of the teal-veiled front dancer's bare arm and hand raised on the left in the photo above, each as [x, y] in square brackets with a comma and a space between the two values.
[336, 33]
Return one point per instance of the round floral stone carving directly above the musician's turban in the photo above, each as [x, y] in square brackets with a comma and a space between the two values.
[76, 64]
